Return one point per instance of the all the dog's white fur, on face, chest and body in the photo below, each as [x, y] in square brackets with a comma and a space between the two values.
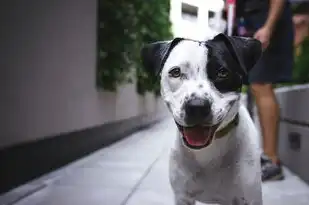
[226, 171]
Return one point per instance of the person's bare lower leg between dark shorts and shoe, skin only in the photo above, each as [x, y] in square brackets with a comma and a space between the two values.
[268, 111]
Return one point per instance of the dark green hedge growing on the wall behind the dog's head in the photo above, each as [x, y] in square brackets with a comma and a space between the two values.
[124, 26]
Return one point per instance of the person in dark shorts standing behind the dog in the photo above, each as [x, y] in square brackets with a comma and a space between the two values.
[271, 23]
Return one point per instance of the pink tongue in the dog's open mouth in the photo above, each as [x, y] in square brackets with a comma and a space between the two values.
[198, 136]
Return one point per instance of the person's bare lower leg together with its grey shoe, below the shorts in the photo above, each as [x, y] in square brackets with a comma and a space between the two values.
[268, 112]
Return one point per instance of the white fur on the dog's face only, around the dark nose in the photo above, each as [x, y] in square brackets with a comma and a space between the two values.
[192, 59]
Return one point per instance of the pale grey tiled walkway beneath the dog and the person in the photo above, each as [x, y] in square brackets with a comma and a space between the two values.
[131, 172]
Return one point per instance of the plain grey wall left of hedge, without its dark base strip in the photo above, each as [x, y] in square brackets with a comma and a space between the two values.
[48, 62]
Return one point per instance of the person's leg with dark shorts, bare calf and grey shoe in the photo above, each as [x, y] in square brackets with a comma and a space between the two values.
[275, 66]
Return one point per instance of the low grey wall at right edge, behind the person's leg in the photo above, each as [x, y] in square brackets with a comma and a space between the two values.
[294, 128]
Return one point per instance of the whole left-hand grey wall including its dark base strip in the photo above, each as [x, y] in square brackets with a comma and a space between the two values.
[51, 112]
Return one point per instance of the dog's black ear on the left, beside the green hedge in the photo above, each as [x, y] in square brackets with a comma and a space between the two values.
[154, 55]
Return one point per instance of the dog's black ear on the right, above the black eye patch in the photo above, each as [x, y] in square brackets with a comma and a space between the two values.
[246, 51]
